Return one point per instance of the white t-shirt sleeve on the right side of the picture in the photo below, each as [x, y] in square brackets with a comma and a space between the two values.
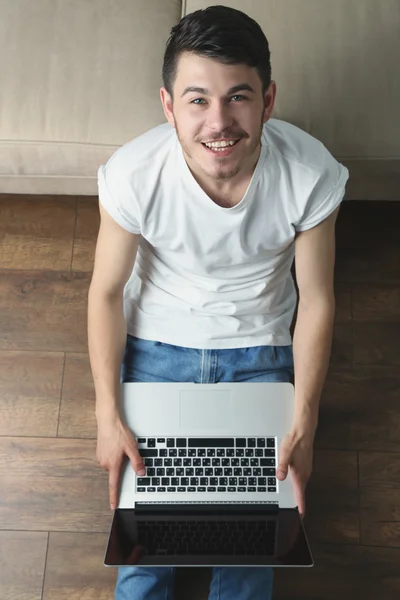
[326, 195]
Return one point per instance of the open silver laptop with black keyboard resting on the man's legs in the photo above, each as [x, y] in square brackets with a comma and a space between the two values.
[210, 495]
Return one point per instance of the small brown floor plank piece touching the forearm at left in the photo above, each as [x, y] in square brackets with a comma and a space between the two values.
[78, 402]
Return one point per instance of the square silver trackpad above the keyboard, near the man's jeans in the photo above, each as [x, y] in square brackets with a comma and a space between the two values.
[205, 410]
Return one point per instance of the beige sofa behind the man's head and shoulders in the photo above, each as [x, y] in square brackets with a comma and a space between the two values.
[79, 79]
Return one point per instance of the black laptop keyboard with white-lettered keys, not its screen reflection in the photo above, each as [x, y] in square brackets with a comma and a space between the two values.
[207, 464]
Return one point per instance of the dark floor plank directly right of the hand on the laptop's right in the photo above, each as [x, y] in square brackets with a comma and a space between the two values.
[332, 498]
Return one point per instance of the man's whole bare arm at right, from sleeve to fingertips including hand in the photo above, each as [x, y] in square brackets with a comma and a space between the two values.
[312, 341]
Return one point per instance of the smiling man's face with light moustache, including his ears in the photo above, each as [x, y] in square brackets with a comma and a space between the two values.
[218, 112]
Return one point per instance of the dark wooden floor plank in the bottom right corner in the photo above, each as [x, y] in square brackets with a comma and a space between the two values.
[345, 572]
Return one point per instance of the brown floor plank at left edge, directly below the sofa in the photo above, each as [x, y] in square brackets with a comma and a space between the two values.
[36, 232]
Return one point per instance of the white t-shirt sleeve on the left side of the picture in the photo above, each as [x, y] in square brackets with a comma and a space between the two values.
[119, 200]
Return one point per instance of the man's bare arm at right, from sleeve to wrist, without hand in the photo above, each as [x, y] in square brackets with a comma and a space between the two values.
[312, 339]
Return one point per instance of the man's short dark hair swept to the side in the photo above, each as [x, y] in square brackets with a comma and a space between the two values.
[225, 34]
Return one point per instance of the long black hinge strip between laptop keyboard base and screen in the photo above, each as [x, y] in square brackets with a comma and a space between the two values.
[206, 508]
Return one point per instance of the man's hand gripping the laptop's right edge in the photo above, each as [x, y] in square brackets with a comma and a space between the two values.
[296, 451]
